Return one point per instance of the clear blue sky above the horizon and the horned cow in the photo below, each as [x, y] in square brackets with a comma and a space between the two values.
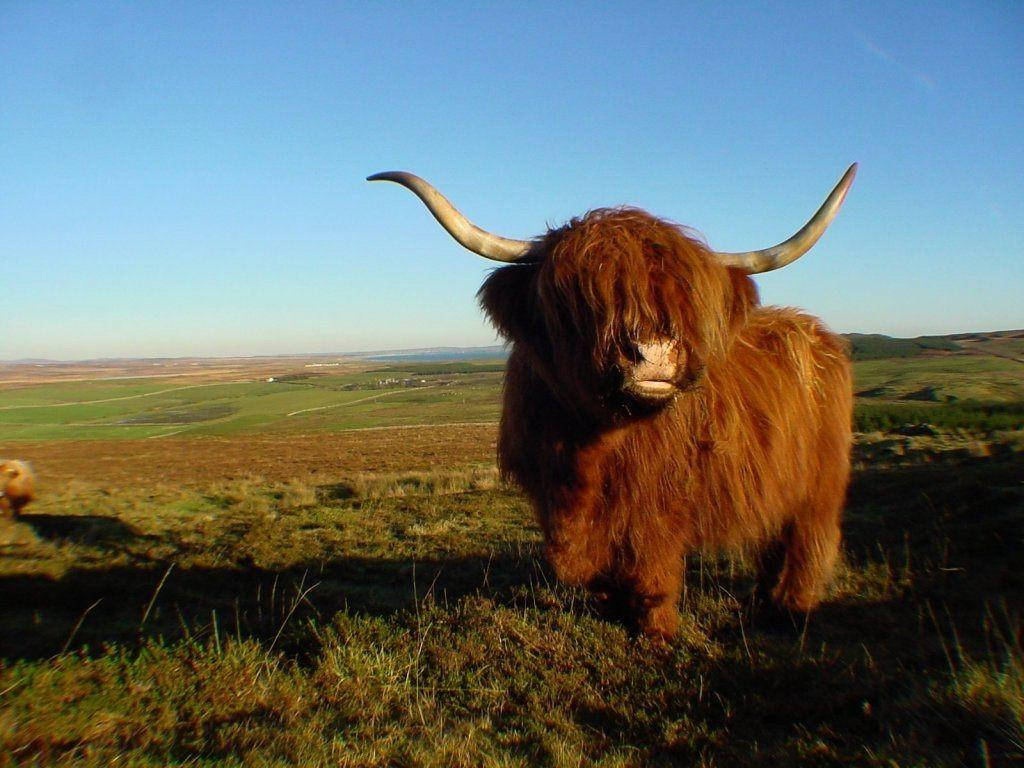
[187, 179]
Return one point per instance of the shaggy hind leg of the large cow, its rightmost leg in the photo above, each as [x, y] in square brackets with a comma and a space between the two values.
[812, 543]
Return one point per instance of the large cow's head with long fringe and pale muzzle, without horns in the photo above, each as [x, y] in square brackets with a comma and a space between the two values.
[620, 313]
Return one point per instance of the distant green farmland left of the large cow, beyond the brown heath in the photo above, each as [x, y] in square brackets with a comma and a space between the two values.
[415, 394]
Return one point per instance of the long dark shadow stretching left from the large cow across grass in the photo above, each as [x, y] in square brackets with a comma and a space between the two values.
[38, 615]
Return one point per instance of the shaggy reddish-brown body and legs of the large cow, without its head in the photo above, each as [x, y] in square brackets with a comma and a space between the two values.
[757, 455]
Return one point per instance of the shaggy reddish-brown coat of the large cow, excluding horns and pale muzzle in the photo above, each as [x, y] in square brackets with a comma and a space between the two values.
[751, 454]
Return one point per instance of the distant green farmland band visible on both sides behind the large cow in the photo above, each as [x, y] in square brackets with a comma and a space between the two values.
[890, 392]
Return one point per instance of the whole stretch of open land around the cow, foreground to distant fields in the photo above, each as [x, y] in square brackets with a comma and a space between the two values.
[210, 578]
